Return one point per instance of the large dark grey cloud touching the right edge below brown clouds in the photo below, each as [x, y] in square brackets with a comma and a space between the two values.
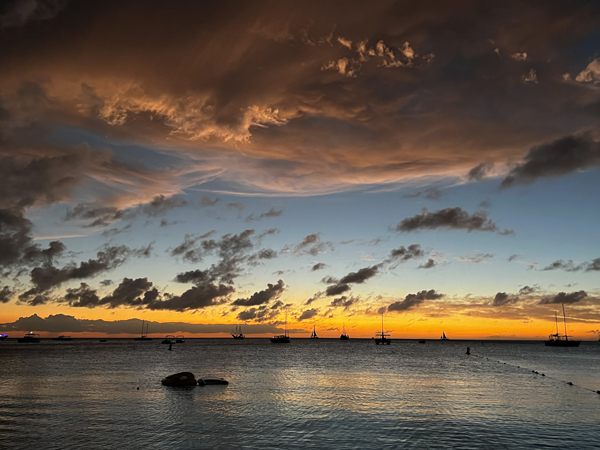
[561, 157]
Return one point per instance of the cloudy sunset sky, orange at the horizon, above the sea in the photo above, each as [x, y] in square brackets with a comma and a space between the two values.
[202, 165]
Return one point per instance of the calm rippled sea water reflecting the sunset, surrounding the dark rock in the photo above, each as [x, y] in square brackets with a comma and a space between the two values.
[325, 394]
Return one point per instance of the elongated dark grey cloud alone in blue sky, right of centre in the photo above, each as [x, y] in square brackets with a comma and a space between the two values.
[451, 218]
